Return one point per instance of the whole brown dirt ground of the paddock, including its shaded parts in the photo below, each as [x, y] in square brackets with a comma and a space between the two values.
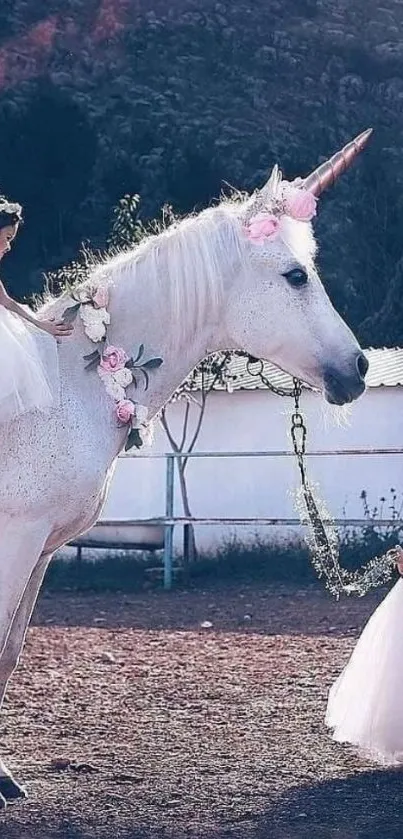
[129, 719]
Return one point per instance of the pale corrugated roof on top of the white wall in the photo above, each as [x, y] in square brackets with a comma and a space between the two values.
[385, 369]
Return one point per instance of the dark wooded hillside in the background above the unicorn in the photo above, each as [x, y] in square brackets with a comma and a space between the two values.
[177, 99]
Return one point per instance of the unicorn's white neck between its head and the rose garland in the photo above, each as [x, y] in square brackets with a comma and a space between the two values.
[170, 298]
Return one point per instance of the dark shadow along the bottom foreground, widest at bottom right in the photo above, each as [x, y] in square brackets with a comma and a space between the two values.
[366, 806]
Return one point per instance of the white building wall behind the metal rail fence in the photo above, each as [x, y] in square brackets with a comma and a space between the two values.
[255, 421]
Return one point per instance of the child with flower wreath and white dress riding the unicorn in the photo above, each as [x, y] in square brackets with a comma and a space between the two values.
[24, 383]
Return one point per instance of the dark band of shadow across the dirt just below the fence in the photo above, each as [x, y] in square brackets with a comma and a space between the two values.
[263, 610]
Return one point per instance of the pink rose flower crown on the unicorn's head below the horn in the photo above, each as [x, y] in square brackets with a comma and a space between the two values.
[278, 199]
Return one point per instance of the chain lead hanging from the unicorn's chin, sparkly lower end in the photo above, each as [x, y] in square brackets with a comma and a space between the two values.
[322, 536]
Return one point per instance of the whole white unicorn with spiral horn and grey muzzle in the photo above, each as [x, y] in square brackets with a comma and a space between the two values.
[238, 276]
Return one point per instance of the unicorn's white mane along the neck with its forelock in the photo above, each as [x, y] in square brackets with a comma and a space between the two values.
[186, 264]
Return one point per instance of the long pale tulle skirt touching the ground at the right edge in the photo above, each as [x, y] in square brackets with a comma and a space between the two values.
[365, 705]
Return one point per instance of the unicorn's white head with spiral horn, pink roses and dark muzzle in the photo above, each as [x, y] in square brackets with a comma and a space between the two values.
[276, 307]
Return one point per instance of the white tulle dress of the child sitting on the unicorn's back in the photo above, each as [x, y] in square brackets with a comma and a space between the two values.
[28, 368]
